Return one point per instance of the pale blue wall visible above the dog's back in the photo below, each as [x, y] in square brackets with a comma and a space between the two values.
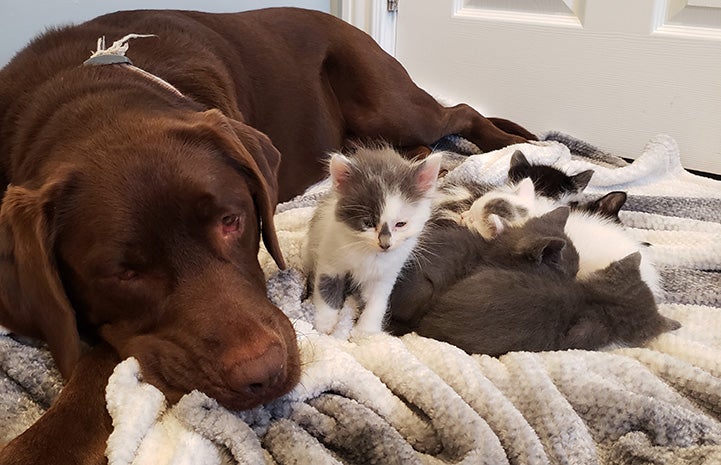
[21, 20]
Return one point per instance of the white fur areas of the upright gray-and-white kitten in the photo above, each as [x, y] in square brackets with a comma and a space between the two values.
[335, 249]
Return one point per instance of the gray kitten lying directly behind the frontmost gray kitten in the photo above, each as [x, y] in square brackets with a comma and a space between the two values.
[446, 253]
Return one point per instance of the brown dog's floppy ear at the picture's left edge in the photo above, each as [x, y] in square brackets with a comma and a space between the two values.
[32, 299]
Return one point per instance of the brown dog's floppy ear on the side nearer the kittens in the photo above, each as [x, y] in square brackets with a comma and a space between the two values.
[253, 150]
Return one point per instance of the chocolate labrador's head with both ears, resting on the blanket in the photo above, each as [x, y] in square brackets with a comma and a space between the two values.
[151, 244]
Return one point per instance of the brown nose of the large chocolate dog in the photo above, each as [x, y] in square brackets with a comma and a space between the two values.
[255, 375]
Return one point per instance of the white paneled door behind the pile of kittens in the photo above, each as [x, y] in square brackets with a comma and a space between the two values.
[611, 72]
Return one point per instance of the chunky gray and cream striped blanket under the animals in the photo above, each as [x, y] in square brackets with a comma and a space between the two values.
[412, 400]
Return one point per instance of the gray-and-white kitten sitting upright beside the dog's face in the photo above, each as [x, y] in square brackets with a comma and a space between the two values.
[362, 234]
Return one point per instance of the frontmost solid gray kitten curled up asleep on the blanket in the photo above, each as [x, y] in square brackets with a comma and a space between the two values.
[494, 311]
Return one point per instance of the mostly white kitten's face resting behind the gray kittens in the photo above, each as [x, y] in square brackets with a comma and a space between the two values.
[496, 210]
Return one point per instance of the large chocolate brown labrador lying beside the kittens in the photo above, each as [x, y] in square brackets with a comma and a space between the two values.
[138, 193]
